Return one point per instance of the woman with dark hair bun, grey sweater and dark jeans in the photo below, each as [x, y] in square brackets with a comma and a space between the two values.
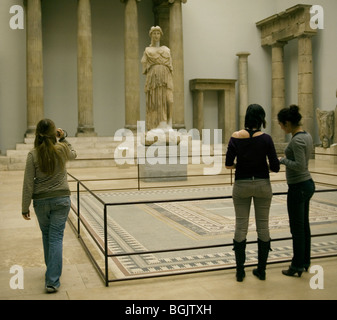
[301, 187]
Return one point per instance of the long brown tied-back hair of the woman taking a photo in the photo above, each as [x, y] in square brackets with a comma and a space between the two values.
[45, 145]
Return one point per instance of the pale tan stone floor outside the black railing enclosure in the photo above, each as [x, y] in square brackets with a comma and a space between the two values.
[20, 245]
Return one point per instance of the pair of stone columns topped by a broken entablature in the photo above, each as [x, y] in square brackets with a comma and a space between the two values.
[276, 31]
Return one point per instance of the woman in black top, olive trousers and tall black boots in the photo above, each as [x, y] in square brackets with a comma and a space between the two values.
[251, 148]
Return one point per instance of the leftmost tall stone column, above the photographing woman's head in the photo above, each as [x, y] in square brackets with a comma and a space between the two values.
[35, 110]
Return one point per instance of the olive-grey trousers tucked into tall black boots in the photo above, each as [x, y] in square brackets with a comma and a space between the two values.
[244, 191]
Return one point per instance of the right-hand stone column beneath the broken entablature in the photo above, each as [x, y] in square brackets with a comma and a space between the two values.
[305, 82]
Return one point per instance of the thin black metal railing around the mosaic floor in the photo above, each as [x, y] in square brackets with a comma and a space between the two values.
[104, 272]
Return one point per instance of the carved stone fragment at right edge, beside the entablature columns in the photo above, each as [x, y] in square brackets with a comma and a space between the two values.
[325, 121]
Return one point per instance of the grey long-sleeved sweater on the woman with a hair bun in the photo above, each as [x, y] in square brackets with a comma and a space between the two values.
[297, 155]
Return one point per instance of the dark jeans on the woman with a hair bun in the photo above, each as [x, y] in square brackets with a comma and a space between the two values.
[298, 199]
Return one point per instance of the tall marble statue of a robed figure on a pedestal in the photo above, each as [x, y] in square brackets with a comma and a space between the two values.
[157, 66]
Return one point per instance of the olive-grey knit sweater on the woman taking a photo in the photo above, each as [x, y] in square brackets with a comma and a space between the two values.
[38, 185]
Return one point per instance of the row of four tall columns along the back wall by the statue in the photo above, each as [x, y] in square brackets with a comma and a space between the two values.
[35, 108]
